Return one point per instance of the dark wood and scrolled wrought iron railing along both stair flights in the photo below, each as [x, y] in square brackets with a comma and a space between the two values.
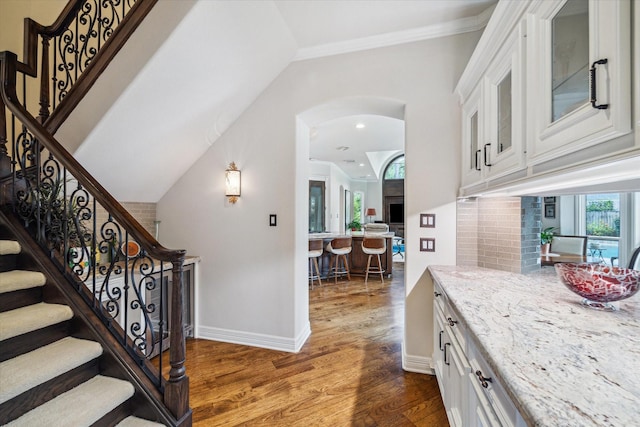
[109, 258]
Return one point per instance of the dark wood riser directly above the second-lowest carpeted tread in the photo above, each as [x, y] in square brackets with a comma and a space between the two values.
[28, 400]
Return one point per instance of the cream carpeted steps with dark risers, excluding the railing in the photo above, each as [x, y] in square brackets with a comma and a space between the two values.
[50, 373]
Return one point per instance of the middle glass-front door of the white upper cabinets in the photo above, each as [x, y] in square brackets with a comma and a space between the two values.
[504, 103]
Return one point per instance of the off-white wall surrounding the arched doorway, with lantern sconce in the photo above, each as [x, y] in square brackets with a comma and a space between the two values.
[253, 277]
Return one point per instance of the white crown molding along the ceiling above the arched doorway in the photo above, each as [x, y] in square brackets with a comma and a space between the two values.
[459, 26]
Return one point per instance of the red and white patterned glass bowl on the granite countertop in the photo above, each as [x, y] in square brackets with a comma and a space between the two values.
[599, 284]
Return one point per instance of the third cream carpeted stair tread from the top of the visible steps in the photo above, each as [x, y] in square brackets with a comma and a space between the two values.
[32, 317]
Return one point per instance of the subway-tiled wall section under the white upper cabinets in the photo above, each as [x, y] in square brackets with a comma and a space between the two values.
[499, 233]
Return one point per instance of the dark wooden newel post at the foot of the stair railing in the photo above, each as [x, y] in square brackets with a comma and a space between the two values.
[176, 394]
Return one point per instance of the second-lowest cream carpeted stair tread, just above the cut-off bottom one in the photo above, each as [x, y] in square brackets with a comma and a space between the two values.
[80, 406]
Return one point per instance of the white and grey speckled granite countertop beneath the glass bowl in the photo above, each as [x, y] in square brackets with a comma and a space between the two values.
[563, 364]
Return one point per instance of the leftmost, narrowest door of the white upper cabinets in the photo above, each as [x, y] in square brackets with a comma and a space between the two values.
[472, 128]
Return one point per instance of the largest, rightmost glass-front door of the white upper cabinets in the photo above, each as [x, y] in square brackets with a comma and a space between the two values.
[580, 85]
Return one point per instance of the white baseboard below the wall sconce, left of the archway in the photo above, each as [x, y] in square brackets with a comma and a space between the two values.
[272, 342]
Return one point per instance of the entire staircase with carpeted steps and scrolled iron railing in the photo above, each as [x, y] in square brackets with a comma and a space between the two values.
[78, 335]
